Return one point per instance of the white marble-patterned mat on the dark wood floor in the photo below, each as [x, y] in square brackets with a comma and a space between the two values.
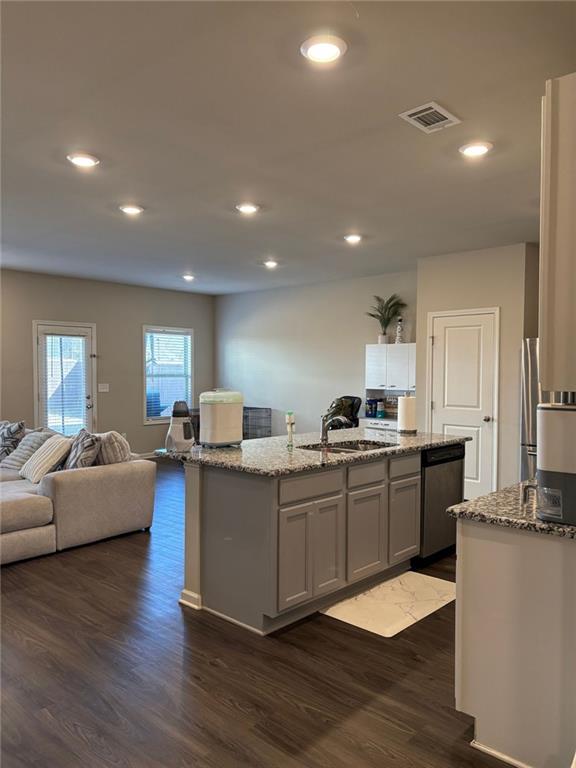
[396, 604]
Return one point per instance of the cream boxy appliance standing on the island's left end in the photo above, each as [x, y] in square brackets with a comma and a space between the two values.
[221, 418]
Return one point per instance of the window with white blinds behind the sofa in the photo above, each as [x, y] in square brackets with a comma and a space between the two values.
[168, 370]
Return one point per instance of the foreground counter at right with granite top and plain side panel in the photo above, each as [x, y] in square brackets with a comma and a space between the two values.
[516, 630]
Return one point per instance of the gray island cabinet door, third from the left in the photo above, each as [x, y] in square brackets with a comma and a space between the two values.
[367, 544]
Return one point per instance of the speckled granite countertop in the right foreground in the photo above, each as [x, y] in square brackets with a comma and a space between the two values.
[505, 508]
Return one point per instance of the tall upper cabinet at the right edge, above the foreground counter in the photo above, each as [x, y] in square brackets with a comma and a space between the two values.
[557, 316]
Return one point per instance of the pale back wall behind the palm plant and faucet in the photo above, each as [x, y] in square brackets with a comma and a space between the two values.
[298, 348]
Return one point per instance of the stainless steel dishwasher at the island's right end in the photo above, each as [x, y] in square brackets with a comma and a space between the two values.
[442, 486]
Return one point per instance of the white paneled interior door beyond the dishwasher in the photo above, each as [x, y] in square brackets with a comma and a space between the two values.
[464, 369]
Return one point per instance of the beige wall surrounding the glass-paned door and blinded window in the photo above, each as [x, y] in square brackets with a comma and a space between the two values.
[119, 312]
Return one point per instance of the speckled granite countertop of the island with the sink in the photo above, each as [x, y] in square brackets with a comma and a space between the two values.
[270, 456]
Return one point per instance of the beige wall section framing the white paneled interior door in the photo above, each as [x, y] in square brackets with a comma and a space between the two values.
[503, 277]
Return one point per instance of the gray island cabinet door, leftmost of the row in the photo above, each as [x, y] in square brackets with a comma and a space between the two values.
[295, 555]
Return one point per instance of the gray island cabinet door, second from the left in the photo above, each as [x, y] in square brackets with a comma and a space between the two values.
[329, 526]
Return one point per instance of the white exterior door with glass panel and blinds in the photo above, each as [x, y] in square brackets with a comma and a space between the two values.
[64, 377]
